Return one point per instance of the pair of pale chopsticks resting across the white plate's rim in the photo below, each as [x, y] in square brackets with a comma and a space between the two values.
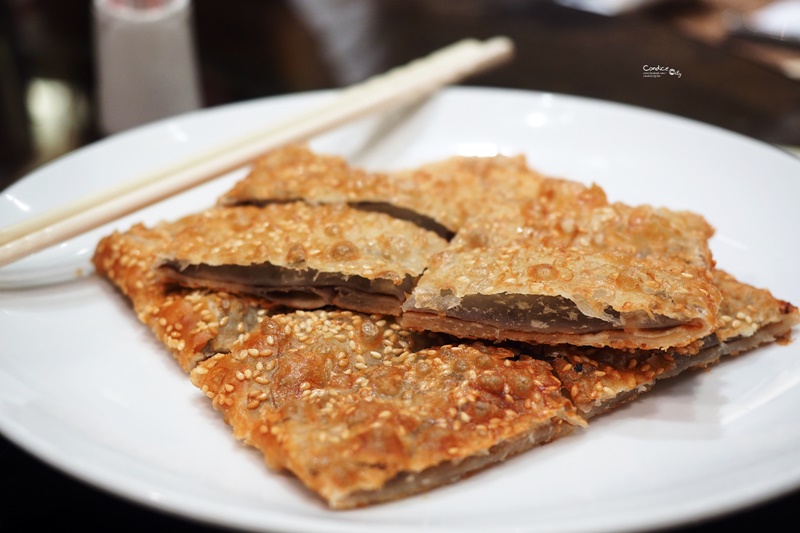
[386, 91]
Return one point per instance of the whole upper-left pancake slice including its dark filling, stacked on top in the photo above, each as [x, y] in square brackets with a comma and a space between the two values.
[301, 255]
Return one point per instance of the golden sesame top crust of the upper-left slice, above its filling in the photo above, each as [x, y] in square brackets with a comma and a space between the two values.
[296, 235]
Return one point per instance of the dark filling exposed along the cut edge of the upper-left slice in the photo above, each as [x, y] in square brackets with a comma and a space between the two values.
[304, 289]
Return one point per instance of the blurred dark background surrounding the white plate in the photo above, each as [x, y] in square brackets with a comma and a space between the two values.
[735, 63]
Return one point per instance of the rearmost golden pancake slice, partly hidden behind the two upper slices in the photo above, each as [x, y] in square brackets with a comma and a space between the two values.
[440, 196]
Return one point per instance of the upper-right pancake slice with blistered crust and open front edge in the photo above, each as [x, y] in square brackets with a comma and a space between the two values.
[570, 268]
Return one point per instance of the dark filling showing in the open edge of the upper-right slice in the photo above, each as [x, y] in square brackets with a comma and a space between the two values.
[543, 314]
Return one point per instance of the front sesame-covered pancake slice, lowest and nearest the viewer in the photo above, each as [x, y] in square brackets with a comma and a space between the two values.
[342, 401]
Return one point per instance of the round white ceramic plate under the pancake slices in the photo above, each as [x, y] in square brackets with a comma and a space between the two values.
[86, 387]
